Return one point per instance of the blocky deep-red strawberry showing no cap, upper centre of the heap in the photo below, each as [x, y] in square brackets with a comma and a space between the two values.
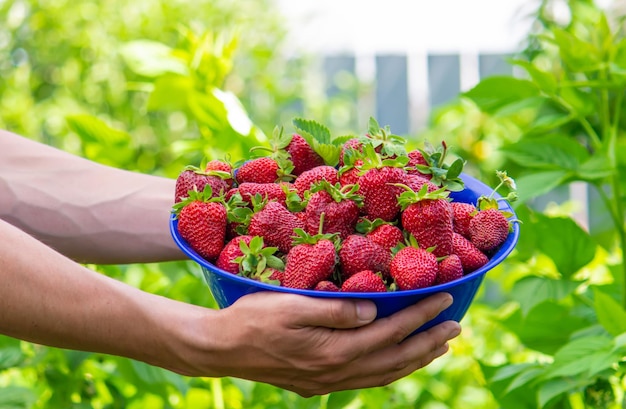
[380, 193]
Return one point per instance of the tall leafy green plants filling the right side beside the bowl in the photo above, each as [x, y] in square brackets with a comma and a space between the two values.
[565, 297]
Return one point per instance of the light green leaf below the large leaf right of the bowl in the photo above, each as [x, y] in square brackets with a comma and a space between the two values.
[532, 290]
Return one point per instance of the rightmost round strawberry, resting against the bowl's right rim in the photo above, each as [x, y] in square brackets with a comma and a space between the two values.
[488, 229]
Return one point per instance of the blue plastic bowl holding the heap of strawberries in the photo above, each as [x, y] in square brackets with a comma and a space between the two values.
[228, 288]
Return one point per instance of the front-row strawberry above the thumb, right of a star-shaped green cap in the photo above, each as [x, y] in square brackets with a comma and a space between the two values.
[310, 261]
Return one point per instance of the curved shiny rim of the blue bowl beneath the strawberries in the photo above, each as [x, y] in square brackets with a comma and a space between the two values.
[505, 249]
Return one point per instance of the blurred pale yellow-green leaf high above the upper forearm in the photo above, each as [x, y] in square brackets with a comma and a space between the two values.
[152, 59]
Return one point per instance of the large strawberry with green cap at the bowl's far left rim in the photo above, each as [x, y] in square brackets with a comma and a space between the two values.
[202, 222]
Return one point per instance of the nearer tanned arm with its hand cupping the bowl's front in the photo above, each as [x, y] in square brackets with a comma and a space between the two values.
[307, 345]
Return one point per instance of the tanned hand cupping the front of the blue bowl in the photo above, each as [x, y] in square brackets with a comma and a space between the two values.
[315, 346]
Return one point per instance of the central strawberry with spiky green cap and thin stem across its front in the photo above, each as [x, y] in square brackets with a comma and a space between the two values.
[339, 207]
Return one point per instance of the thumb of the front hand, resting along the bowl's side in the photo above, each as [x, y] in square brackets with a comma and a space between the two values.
[336, 313]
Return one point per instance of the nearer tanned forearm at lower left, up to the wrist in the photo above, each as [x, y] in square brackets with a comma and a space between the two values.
[48, 299]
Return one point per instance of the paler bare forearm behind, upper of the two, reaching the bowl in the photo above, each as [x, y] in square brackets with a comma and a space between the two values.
[89, 212]
